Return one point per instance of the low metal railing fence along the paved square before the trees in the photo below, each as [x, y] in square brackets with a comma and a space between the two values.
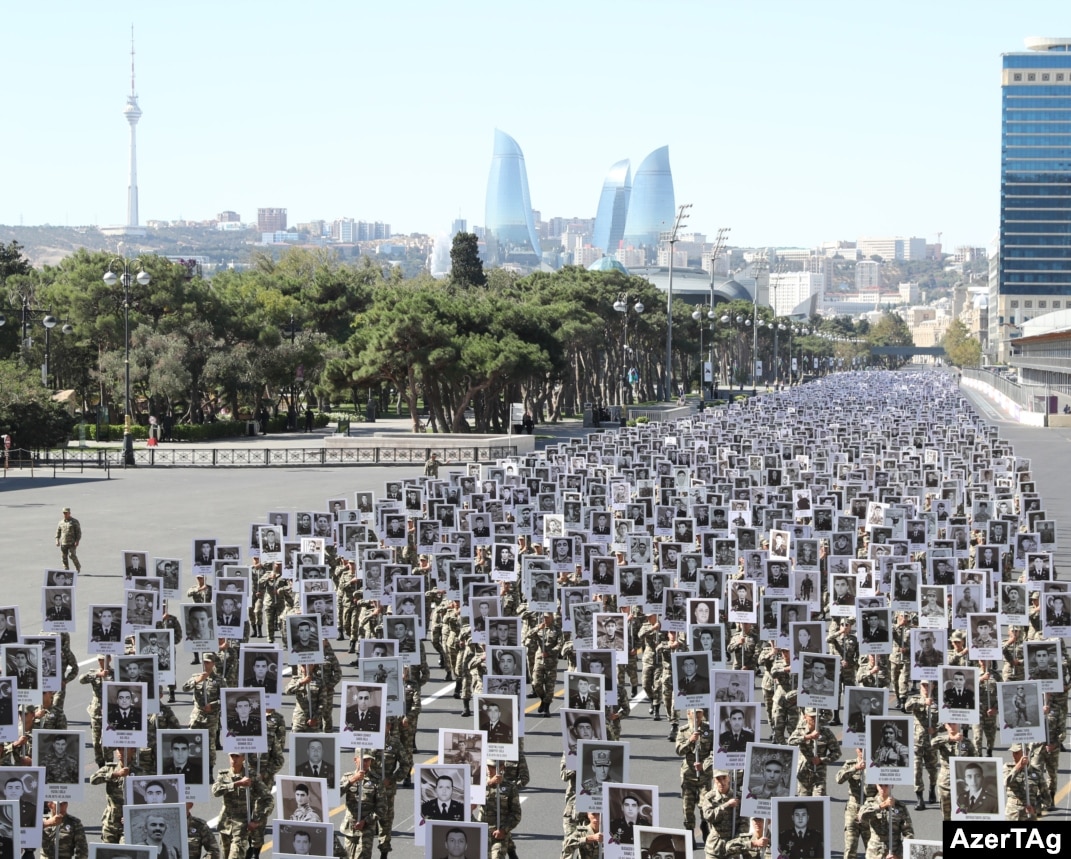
[170, 457]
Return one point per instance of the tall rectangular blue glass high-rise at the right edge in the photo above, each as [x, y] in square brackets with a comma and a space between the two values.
[1034, 267]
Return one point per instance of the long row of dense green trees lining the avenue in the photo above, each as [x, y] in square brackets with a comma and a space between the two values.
[308, 328]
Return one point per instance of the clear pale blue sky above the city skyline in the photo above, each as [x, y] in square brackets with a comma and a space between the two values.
[791, 123]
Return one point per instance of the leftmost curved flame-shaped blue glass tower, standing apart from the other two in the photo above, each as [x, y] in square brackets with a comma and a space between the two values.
[511, 228]
